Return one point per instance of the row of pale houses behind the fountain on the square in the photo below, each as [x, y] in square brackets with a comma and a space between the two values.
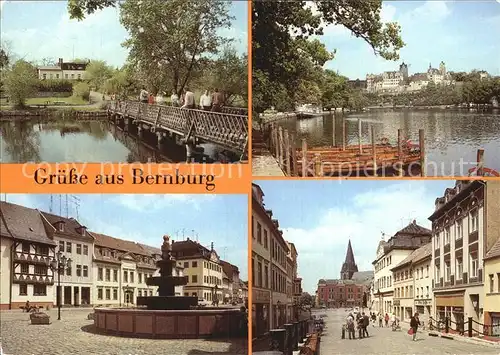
[104, 270]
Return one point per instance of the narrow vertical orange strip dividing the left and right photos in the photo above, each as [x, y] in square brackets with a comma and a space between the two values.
[250, 178]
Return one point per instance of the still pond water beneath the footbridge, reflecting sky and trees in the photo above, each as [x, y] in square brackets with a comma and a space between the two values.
[72, 140]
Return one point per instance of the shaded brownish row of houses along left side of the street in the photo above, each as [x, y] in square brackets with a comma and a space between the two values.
[276, 287]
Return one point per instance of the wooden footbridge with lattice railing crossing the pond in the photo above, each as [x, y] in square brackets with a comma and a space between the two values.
[228, 128]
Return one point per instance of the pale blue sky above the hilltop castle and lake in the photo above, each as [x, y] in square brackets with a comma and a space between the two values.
[463, 34]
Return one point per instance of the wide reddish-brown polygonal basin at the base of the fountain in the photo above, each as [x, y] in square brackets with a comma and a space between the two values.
[169, 324]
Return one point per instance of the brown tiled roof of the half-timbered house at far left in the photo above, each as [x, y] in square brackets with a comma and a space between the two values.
[23, 223]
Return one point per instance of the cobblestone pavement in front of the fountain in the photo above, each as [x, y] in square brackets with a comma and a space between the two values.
[66, 337]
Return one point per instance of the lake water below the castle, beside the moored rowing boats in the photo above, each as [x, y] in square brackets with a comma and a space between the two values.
[452, 138]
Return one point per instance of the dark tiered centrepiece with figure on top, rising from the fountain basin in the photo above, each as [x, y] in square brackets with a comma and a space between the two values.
[166, 299]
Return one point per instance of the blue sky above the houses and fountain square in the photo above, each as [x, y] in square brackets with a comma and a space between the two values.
[222, 219]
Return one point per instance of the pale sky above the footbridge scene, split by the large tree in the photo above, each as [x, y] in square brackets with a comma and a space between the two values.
[42, 29]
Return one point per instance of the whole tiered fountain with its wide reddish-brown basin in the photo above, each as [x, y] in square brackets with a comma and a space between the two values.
[167, 316]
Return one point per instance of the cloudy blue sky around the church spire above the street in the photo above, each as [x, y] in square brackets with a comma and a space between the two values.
[321, 216]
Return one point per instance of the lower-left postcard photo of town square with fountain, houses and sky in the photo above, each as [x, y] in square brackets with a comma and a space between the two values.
[80, 277]
